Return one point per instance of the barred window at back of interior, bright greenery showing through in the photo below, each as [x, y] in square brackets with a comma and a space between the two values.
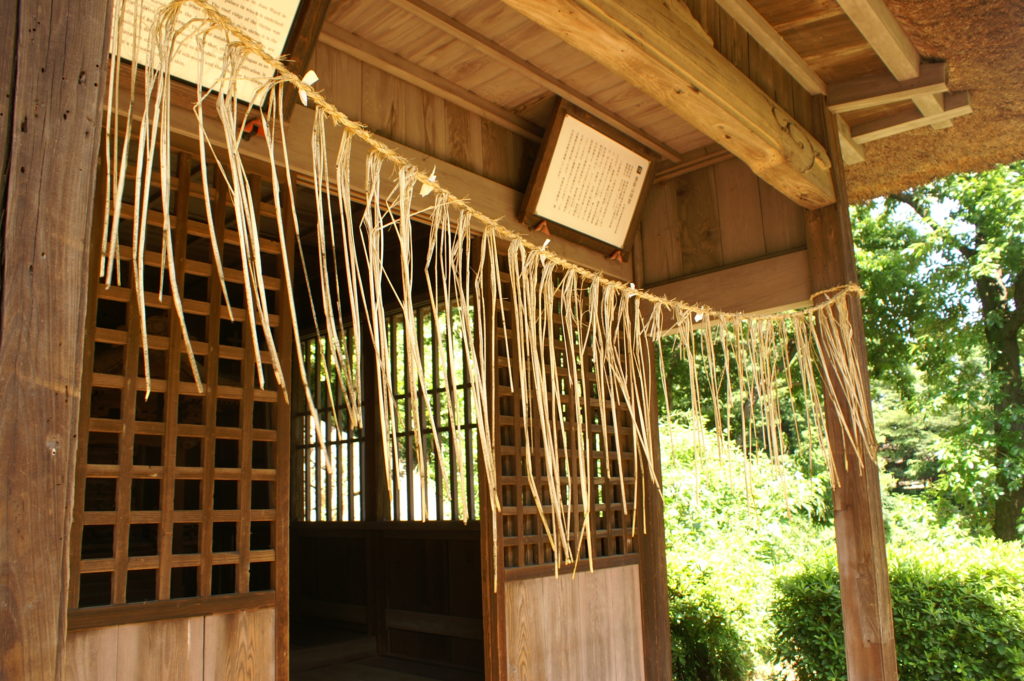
[331, 480]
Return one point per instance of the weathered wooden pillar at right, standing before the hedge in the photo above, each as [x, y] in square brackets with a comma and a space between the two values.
[868, 619]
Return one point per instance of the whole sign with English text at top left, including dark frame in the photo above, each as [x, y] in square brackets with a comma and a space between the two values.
[282, 27]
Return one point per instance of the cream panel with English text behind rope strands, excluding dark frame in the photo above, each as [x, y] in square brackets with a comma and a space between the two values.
[269, 22]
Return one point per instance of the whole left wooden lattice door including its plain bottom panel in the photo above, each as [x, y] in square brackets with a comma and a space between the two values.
[181, 517]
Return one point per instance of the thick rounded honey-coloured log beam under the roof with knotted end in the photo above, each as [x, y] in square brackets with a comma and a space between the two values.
[662, 50]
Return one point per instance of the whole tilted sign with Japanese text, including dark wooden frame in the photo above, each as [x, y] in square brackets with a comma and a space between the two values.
[589, 182]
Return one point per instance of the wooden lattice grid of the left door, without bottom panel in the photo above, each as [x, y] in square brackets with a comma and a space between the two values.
[177, 494]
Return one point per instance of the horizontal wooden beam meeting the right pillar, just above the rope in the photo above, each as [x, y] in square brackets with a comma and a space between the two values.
[772, 284]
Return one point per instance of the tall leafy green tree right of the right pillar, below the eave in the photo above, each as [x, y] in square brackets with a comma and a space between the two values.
[944, 269]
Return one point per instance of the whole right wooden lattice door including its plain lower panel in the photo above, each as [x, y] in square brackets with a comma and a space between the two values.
[587, 623]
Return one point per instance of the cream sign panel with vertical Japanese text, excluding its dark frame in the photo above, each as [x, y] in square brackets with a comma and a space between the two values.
[593, 184]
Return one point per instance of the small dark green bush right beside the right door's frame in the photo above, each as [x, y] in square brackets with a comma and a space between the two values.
[706, 645]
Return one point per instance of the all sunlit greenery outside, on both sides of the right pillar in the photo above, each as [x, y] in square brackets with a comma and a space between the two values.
[754, 590]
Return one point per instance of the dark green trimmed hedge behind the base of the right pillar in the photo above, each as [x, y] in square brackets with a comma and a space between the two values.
[958, 615]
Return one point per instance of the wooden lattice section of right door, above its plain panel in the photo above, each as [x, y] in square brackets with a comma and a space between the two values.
[523, 544]
